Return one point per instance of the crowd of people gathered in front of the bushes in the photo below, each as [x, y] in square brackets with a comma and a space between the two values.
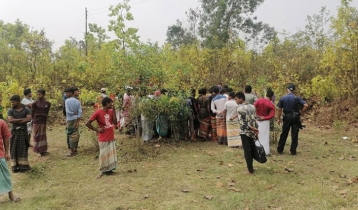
[219, 114]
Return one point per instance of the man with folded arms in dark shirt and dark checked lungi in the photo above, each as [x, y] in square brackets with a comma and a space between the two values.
[19, 115]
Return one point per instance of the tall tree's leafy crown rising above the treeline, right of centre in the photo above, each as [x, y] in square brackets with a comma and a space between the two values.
[225, 20]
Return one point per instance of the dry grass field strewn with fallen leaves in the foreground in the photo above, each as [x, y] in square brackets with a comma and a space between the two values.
[186, 175]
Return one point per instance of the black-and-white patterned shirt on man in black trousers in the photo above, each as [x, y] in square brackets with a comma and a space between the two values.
[247, 118]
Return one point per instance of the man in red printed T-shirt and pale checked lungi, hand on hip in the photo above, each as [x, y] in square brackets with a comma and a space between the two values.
[107, 121]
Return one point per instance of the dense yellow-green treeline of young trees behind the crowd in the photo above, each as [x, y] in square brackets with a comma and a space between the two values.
[322, 59]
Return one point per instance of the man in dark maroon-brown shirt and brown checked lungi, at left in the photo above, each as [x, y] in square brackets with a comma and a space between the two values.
[39, 111]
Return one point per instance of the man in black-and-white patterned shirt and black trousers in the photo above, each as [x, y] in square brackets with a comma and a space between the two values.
[248, 128]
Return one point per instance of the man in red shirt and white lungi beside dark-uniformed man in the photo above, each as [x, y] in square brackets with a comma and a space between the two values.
[265, 110]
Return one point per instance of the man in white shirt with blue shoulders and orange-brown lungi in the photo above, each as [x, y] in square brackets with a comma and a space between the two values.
[218, 106]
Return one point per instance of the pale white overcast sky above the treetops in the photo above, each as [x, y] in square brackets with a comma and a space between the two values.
[62, 19]
